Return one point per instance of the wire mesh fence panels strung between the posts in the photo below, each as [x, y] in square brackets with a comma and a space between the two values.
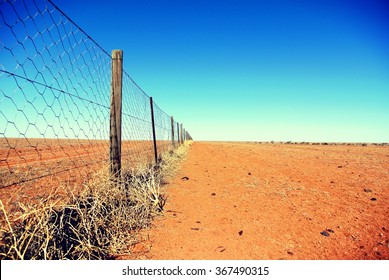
[55, 101]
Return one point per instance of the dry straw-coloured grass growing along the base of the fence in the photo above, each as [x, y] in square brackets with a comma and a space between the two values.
[98, 222]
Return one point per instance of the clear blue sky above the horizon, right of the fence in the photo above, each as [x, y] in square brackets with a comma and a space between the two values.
[254, 70]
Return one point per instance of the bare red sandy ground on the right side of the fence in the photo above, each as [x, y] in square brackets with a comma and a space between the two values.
[264, 201]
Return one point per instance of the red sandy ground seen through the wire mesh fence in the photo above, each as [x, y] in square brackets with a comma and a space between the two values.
[30, 169]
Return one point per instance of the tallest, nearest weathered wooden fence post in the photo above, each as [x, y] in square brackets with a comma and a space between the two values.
[115, 138]
